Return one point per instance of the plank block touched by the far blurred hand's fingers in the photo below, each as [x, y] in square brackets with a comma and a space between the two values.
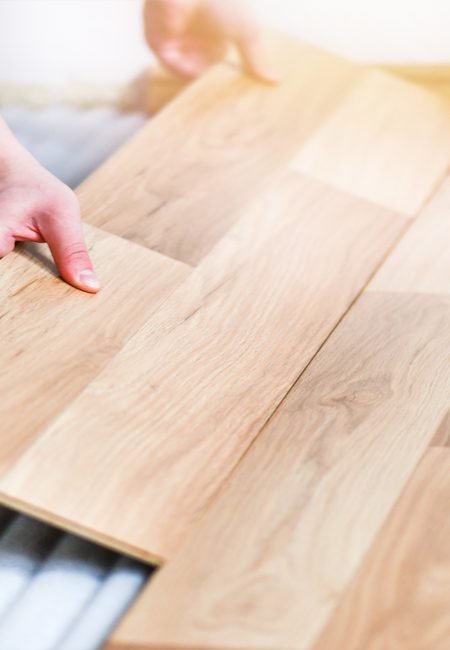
[177, 185]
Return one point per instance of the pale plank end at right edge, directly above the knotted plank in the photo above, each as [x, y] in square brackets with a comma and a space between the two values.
[421, 262]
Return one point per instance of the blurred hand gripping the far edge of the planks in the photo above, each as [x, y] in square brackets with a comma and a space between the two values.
[189, 35]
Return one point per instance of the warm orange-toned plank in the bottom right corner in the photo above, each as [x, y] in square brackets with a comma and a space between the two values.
[401, 596]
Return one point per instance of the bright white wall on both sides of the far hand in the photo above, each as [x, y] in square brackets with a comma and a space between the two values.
[54, 42]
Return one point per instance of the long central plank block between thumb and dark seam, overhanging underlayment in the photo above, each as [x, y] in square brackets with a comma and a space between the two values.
[156, 434]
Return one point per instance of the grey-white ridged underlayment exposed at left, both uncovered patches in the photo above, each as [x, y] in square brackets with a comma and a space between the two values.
[58, 591]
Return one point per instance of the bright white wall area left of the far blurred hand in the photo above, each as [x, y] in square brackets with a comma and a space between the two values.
[61, 41]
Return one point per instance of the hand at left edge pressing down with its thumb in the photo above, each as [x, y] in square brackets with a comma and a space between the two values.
[35, 206]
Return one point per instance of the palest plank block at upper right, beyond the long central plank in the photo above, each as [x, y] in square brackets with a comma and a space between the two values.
[387, 141]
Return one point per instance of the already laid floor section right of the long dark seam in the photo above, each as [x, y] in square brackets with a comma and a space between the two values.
[308, 525]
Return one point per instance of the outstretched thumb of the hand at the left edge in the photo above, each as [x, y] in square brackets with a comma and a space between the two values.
[64, 236]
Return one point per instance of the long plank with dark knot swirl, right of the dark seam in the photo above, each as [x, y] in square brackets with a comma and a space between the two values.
[272, 557]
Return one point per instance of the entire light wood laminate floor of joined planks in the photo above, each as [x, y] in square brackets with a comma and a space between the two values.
[260, 393]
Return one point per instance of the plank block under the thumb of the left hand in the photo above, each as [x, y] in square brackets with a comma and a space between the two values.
[54, 340]
